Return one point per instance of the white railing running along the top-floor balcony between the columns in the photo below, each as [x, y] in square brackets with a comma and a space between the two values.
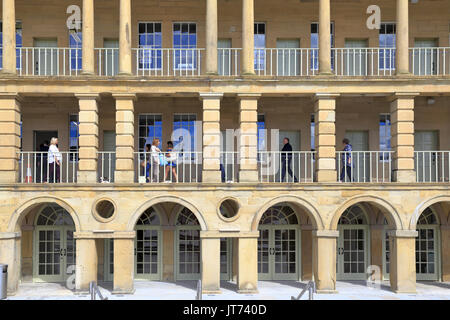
[301, 62]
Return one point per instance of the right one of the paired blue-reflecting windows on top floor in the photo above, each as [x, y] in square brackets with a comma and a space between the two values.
[185, 38]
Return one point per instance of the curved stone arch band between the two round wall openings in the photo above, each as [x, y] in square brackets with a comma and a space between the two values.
[161, 199]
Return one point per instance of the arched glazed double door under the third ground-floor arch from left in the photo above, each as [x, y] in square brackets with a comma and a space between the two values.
[278, 244]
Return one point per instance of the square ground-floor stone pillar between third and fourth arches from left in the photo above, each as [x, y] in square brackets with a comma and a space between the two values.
[324, 260]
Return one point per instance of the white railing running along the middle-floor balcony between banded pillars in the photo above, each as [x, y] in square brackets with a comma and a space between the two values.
[273, 167]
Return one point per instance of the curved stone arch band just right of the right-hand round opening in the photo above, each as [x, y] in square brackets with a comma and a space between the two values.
[311, 211]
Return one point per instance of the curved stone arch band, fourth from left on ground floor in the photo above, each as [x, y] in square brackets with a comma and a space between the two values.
[392, 214]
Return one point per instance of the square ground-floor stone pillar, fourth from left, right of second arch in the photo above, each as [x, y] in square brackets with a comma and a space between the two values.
[210, 268]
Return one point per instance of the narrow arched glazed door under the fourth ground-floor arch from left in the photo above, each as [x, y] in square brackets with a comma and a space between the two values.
[352, 245]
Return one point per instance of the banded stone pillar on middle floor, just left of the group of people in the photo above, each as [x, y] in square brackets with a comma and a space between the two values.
[124, 138]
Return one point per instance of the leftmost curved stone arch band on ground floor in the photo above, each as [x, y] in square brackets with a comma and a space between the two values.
[20, 213]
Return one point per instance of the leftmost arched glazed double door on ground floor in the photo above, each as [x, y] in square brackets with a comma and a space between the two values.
[54, 251]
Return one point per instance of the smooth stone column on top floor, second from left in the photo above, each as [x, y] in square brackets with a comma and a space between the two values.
[88, 37]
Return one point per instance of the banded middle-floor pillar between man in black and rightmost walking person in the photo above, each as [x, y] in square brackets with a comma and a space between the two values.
[325, 137]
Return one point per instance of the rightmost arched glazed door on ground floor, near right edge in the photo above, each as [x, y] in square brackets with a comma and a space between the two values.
[427, 246]
